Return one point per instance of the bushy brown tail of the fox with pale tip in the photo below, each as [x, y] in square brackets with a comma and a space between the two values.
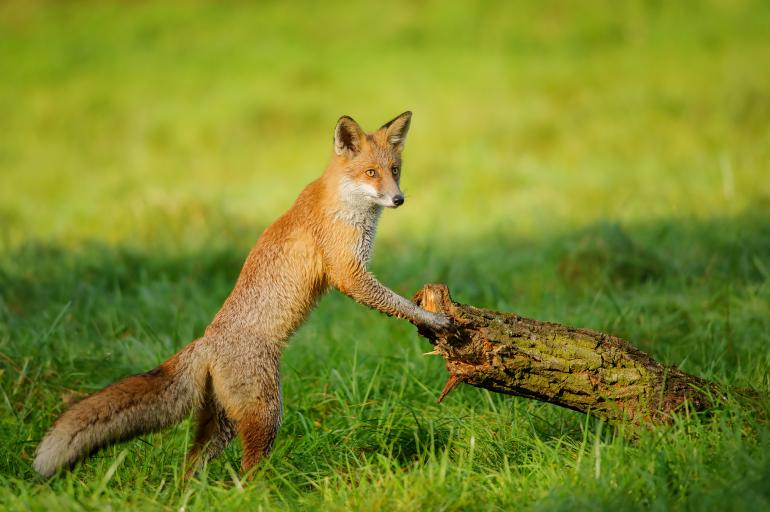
[132, 406]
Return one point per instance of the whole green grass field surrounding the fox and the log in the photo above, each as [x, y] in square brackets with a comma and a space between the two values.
[598, 164]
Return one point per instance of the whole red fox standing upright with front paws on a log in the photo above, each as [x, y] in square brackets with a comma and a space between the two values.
[230, 377]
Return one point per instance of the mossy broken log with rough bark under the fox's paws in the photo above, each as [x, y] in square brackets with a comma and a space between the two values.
[580, 369]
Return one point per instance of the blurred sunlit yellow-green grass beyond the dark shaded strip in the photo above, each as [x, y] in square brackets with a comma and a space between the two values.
[530, 117]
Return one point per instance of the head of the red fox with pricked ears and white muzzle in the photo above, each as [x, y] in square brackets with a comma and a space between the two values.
[370, 163]
